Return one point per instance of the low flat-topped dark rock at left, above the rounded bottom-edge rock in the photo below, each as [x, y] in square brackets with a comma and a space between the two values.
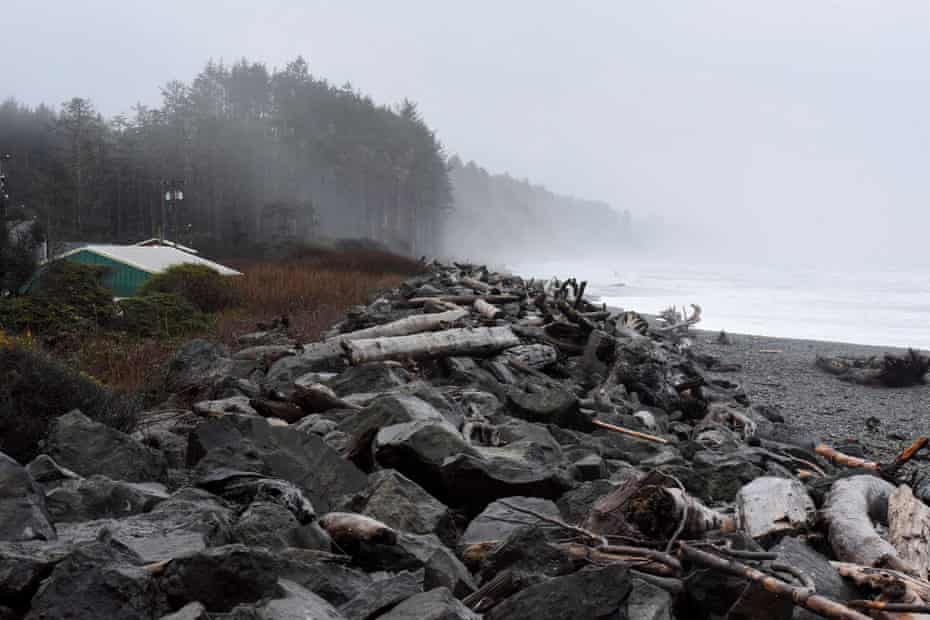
[99, 497]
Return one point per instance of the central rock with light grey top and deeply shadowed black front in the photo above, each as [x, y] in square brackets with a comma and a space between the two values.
[418, 450]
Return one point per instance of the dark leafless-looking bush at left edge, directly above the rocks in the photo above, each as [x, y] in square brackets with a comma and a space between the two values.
[35, 390]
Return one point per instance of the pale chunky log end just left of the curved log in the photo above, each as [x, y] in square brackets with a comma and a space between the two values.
[770, 507]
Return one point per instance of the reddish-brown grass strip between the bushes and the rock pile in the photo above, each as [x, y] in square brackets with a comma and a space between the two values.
[312, 287]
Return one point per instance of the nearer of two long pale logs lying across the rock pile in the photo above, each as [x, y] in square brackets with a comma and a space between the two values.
[466, 341]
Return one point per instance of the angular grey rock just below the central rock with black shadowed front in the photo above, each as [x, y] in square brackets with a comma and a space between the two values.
[402, 504]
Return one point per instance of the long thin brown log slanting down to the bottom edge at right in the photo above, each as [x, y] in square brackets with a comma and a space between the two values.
[798, 595]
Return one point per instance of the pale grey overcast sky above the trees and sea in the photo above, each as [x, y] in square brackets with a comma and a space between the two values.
[757, 131]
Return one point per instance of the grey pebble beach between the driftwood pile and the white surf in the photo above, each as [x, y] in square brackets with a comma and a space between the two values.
[780, 373]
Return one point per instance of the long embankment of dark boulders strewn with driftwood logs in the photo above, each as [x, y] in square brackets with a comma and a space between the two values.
[467, 445]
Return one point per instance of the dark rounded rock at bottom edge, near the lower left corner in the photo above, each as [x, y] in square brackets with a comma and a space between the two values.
[99, 580]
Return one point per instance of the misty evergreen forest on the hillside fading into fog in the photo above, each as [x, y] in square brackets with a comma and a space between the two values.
[249, 156]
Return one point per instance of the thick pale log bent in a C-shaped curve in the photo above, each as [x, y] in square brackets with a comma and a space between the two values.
[850, 508]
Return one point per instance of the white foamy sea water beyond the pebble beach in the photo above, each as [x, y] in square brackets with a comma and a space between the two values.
[888, 308]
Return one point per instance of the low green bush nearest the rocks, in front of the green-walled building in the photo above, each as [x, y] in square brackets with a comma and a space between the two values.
[160, 315]
